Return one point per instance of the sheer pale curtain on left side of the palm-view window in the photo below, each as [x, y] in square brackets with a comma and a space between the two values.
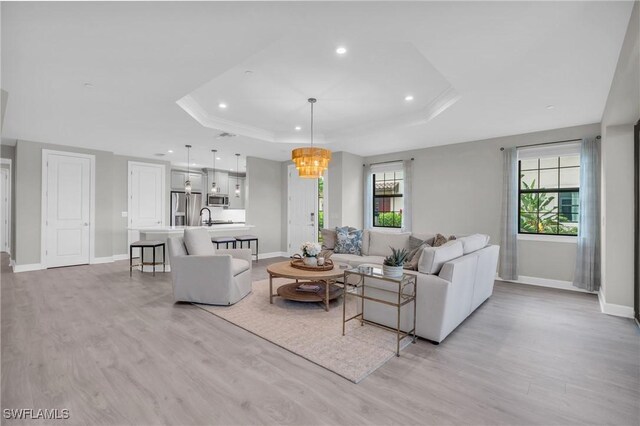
[509, 227]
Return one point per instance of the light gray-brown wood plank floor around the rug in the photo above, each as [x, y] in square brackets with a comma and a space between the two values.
[117, 350]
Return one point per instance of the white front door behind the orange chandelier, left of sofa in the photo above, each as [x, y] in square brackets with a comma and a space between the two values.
[302, 210]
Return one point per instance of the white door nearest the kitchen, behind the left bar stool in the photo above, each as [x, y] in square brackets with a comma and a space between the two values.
[146, 197]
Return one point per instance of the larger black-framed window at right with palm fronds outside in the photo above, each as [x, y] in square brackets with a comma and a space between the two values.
[549, 192]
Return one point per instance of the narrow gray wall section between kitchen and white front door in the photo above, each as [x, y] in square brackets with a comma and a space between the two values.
[265, 202]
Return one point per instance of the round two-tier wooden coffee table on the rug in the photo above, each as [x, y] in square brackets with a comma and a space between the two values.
[325, 279]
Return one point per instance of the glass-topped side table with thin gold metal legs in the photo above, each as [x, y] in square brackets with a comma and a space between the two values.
[402, 291]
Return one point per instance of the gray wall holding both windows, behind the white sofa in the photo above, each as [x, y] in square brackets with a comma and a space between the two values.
[457, 190]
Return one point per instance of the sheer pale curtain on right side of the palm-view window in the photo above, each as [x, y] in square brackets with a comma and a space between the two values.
[587, 273]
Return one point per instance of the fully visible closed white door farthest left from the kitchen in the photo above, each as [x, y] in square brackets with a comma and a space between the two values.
[68, 187]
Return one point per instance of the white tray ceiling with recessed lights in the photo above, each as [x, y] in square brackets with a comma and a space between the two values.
[159, 70]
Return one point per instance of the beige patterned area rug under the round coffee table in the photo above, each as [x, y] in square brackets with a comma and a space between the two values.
[309, 331]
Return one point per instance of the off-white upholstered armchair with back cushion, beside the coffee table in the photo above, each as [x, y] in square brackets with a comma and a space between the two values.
[203, 274]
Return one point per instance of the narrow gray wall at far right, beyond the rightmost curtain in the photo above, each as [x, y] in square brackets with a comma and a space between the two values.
[621, 112]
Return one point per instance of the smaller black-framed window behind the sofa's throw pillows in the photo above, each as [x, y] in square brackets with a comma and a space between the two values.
[387, 199]
